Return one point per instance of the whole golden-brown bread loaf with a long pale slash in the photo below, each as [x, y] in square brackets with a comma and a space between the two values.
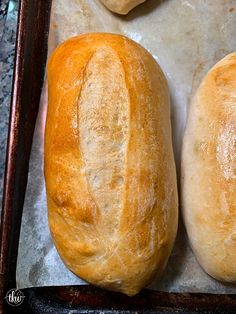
[109, 167]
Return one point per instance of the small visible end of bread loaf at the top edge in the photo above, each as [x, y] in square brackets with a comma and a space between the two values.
[121, 6]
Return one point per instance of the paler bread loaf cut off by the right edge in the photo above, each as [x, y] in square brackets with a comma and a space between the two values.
[209, 171]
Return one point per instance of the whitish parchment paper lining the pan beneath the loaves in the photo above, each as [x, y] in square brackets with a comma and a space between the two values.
[186, 38]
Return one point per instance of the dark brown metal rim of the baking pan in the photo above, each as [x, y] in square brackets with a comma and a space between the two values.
[29, 69]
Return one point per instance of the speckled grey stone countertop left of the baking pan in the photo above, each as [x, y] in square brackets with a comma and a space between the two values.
[8, 21]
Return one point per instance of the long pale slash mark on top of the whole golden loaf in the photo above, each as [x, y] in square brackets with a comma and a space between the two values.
[103, 122]
